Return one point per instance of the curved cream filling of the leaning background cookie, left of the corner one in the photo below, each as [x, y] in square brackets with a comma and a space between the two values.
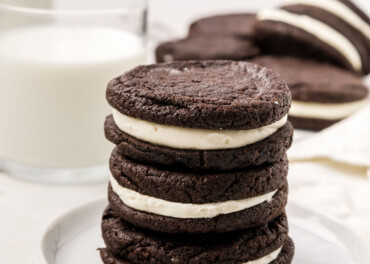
[319, 29]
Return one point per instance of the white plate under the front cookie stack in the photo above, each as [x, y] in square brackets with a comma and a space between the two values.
[74, 237]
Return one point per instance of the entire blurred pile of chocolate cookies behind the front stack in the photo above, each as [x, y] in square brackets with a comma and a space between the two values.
[305, 41]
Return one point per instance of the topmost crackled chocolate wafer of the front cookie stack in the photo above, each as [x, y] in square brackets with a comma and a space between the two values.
[212, 95]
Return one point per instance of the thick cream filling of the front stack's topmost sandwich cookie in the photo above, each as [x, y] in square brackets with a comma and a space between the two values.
[192, 138]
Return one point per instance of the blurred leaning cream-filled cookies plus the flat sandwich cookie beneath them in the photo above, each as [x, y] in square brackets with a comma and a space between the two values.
[330, 31]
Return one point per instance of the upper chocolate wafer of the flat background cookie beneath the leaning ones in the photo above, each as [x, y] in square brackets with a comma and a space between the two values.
[311, 81]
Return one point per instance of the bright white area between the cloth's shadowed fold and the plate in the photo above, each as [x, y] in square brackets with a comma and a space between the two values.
[332, 188]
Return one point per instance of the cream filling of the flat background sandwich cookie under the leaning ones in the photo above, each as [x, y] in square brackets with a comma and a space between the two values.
[325, 111]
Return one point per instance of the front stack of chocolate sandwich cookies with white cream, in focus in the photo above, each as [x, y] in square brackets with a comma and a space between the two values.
[199, 172]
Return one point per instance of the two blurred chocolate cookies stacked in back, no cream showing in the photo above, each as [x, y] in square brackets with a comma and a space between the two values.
[226, 37]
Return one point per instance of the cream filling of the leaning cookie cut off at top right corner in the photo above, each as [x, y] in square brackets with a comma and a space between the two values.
[340, 10]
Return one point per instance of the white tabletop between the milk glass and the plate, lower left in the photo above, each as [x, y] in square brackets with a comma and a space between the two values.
[28, 208]
